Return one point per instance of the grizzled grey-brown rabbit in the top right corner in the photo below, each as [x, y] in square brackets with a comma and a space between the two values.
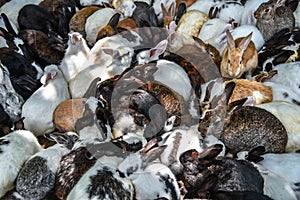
[273, 16]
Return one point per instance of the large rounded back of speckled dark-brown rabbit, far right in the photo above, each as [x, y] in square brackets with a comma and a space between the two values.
[250, 127]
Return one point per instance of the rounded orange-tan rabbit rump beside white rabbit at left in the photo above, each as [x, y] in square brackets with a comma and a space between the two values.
[67, 113]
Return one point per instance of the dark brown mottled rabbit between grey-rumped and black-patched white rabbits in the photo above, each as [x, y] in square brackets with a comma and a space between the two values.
[76, 163]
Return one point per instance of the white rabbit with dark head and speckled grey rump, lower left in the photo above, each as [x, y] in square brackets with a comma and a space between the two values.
[37, 176]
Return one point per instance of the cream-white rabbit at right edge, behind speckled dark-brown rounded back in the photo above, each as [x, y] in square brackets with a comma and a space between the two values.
[288, 114]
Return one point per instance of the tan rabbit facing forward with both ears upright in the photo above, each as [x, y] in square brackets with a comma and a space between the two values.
[238, 57]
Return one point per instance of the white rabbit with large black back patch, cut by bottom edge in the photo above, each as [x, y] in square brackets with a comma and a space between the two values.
[102, 182]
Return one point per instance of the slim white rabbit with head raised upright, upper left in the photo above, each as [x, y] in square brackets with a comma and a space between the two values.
[76, 54]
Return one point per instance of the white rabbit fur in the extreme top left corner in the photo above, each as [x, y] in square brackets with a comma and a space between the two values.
[11, 9]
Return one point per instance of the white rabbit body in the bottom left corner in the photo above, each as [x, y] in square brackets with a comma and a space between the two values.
[22, 145]
